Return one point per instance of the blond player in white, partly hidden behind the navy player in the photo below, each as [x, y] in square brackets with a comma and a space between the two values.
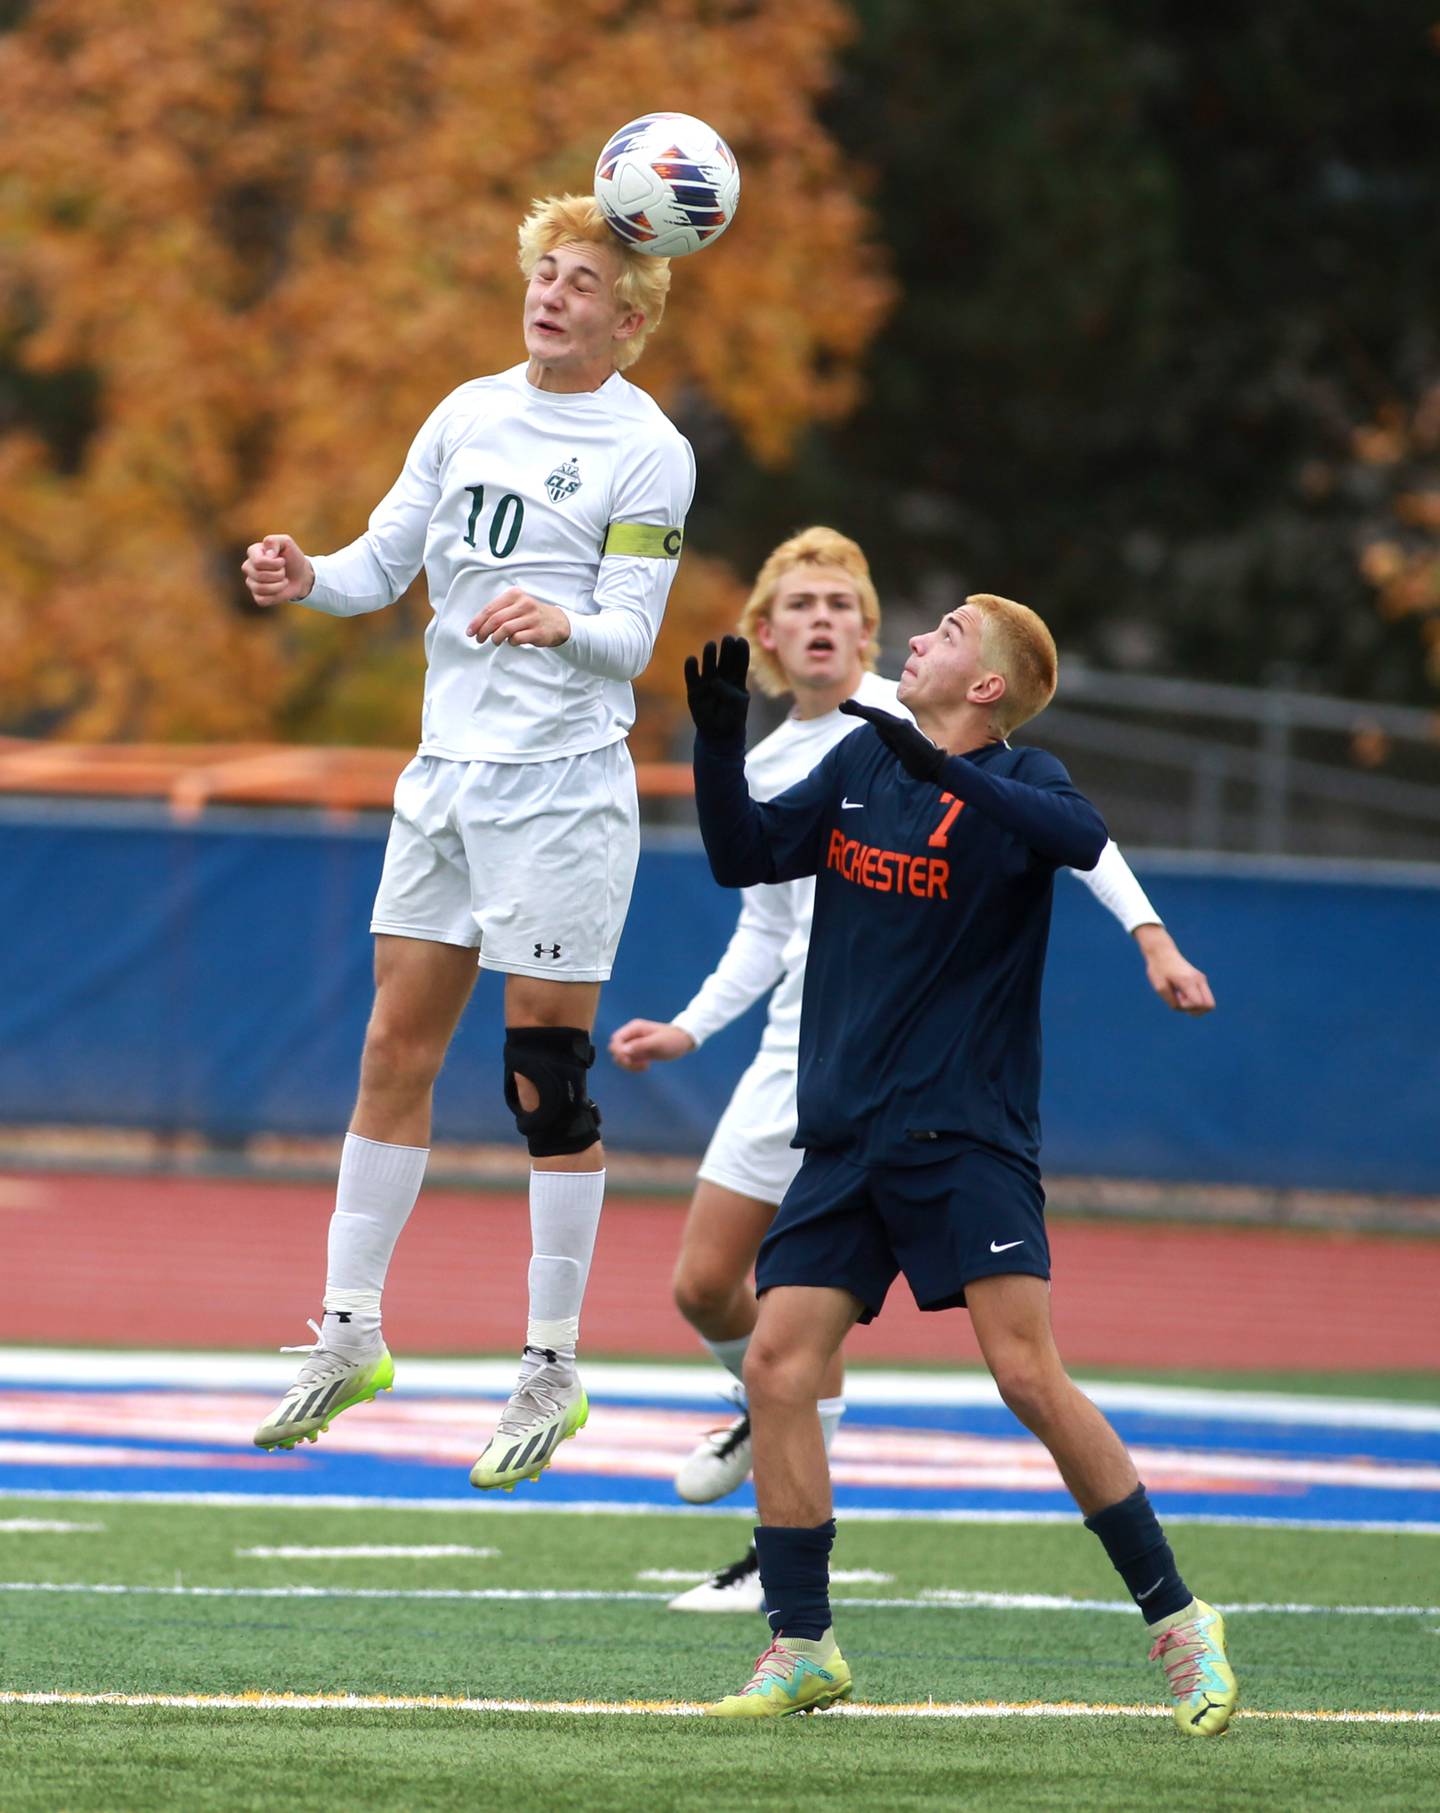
[812, 621]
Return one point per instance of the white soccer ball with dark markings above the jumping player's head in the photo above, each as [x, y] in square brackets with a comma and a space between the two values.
[668, 184]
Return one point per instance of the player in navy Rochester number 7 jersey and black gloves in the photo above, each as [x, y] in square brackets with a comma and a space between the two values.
[935, 848]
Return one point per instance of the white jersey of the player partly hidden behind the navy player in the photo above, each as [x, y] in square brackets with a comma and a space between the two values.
[774, 933]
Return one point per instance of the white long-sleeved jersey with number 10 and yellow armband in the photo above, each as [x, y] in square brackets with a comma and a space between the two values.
[579, 499]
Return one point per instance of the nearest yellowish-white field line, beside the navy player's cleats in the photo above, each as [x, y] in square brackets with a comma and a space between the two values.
[670, 1709]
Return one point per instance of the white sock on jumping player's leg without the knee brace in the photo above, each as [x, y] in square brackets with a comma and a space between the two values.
[375, 1196]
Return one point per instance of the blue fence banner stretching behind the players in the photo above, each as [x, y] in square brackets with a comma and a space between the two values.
[215, 978]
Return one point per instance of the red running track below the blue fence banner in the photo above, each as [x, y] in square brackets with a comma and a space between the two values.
[208, 1265]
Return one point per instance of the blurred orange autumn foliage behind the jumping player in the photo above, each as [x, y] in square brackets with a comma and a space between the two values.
[269, 238]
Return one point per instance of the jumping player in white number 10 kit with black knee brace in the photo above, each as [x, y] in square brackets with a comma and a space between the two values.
[547, 507]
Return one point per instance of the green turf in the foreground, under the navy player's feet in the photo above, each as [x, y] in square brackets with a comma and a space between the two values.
[429, 1636]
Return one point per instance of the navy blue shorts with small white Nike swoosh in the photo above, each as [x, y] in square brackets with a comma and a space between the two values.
[978, 1214]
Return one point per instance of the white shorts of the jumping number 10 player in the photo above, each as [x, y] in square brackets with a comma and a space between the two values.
[532, 864]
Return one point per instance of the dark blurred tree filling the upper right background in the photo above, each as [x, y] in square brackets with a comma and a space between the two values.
[1158, 266]
